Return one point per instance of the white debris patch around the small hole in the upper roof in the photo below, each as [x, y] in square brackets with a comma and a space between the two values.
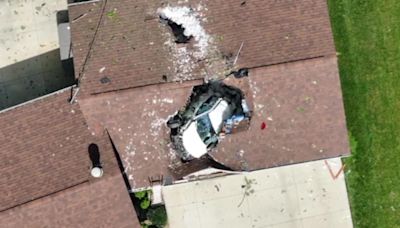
[190, 46]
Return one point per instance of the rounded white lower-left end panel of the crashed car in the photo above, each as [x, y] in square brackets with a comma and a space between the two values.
[192, 142]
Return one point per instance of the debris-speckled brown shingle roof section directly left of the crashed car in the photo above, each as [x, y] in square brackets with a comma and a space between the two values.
[135, 119]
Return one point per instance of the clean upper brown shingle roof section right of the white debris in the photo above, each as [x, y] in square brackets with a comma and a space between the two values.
[272, 31]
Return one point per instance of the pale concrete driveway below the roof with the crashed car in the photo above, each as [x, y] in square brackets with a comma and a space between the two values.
[303, 195]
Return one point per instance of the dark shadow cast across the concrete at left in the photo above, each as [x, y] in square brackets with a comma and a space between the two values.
[34, 77]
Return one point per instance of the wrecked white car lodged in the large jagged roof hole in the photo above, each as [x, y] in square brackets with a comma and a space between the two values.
[196, 130]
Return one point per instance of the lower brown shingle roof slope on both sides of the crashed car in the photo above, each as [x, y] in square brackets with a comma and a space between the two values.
[300, 102]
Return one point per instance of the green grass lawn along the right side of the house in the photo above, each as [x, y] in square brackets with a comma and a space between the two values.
[367, 37]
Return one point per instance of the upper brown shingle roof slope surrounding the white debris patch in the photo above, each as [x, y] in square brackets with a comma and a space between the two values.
[130, 46]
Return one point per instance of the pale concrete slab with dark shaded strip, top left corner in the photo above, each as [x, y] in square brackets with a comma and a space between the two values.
[30, 63]
